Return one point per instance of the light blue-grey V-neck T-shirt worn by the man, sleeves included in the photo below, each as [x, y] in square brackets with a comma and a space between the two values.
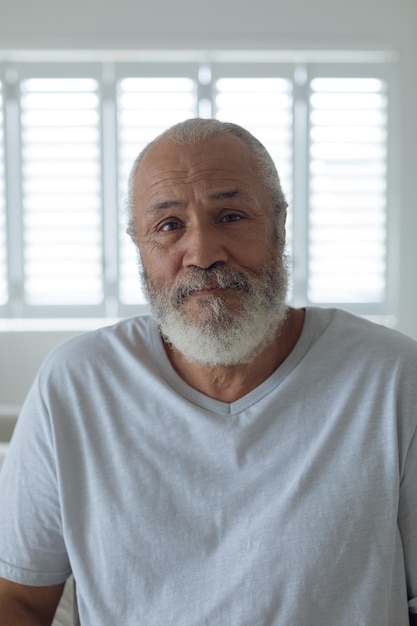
[295, 505]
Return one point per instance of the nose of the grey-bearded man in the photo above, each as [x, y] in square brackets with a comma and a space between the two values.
[203, 246]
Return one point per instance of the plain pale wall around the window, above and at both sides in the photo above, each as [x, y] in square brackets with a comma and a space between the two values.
[338, 24]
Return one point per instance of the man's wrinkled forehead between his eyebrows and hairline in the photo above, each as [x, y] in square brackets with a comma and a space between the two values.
[213, 165]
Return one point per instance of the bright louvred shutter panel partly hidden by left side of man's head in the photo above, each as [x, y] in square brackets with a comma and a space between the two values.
[146, 107]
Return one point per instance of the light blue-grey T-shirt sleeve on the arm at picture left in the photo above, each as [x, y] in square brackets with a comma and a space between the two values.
[32, 548]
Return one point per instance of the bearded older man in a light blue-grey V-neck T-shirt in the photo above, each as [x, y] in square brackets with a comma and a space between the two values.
[229, 460]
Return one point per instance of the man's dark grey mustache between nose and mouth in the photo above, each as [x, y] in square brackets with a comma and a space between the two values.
[212, 277]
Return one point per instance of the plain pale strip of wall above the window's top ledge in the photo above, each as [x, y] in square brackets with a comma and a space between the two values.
[135, 23]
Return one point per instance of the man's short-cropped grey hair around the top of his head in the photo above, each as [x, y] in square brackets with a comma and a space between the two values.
[197, 130]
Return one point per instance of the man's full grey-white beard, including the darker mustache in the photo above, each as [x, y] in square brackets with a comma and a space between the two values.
[222, 337]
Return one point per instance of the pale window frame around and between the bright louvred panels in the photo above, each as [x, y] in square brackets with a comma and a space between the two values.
[108, 72]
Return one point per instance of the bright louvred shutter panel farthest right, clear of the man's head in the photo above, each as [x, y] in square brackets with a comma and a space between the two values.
[348, 168]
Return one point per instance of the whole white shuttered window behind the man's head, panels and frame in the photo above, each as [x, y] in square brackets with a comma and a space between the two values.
[67, 146]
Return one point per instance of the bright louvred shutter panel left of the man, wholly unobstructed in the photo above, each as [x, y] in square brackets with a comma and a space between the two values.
[61, 197]
